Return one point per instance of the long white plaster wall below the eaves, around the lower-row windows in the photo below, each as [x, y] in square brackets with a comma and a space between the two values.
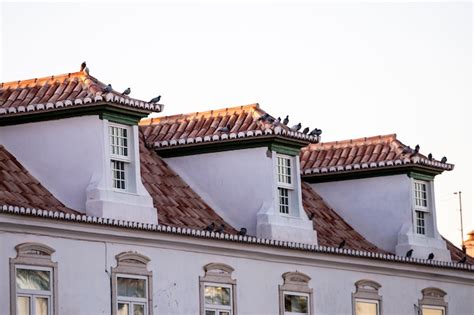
[84, 286]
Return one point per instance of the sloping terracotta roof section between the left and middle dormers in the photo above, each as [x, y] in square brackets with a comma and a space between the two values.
[178, 205]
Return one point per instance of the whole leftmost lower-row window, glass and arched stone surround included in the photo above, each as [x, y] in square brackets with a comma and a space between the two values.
[34, 279]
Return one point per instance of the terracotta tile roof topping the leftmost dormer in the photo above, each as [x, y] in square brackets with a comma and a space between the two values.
[61, 91]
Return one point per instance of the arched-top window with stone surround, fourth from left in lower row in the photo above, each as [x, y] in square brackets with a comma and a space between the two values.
[295, 295]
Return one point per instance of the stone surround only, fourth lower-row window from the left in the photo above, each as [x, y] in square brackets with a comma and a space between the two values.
[295, 282]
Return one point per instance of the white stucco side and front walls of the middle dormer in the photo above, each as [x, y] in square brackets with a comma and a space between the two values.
[241, 186]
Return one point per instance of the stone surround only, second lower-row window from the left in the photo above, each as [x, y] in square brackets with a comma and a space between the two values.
[133, 264]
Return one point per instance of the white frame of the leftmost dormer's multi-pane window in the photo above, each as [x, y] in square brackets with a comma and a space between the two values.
[125, 159]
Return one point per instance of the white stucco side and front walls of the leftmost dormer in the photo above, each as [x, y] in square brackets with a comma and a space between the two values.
[71, 158]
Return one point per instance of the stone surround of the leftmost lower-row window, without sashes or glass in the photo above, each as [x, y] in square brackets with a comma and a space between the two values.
[35, 255]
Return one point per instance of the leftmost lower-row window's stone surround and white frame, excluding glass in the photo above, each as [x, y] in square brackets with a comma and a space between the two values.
[34, 256]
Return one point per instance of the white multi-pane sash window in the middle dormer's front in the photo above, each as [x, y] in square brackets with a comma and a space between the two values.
[284, 182]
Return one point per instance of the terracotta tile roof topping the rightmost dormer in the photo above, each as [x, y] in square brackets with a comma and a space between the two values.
[363, 153]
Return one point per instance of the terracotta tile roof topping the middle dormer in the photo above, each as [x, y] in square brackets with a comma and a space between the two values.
[200, 127]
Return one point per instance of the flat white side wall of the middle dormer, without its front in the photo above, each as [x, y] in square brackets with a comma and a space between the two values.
[234, 183]
